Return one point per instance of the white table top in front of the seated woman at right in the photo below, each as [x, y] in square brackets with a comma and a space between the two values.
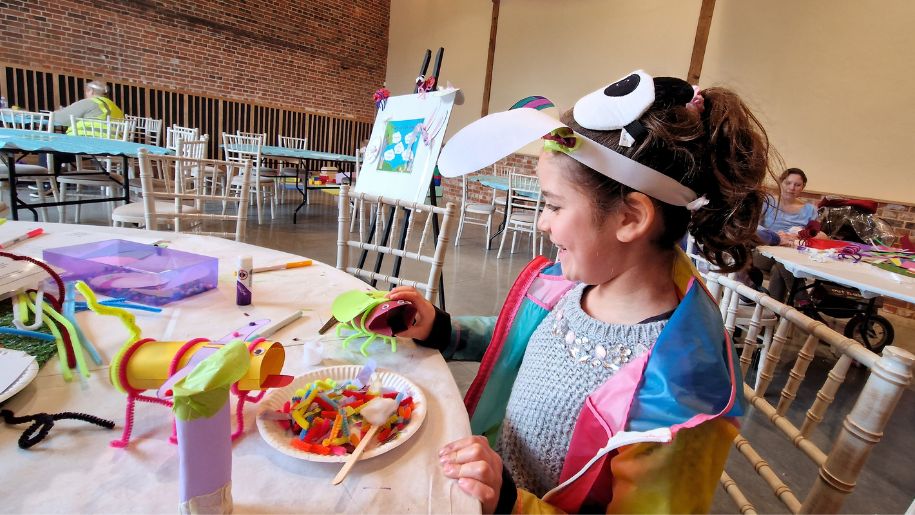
[868, 279]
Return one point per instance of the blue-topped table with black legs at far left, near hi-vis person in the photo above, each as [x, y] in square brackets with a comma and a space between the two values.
[13, 141]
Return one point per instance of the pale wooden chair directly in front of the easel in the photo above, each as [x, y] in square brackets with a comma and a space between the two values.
[419, 247]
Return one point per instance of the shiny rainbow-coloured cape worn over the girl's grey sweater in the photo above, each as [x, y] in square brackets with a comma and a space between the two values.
[655, 436]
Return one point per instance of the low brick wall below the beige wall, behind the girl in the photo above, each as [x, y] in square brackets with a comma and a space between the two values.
[899, 215]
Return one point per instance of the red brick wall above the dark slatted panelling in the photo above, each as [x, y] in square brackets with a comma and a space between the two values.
[326, 56]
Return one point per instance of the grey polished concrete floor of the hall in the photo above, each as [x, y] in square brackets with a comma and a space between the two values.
[476, 283]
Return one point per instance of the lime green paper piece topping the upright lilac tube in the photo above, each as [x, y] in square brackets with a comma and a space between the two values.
[203, 392]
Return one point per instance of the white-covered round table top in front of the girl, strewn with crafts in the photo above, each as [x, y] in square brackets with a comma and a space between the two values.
[74, 470]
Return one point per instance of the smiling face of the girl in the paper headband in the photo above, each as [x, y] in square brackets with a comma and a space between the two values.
[586, 248]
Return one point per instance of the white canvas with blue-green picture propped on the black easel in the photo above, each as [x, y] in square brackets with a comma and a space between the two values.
[403, 149]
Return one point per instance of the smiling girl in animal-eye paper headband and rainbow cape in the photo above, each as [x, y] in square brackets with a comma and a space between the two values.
[607, 382]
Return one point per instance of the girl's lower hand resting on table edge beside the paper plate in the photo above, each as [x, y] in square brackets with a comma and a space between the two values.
[477, 468]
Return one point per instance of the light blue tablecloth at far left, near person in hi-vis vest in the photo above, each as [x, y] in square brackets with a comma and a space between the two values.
[39, 141]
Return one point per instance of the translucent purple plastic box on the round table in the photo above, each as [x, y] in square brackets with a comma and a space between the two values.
[138, 272]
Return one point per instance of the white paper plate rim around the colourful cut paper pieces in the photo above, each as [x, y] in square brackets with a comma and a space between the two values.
[279, 438]
